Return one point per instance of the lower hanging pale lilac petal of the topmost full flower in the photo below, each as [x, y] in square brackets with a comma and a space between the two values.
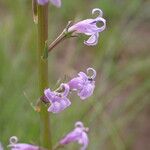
[93, 40]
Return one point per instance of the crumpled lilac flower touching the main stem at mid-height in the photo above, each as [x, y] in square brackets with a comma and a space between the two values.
[59, 101]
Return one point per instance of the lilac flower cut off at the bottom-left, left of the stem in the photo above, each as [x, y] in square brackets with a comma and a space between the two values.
[20, 146]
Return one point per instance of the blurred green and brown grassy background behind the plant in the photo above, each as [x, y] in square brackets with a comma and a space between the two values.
[118, 113]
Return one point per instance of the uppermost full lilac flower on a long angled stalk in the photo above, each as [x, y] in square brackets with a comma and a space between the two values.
[89, 27]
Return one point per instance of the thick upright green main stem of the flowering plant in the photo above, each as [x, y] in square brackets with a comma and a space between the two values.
[43, 74]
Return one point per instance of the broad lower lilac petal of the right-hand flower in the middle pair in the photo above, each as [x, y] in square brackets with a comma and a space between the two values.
[87, 91]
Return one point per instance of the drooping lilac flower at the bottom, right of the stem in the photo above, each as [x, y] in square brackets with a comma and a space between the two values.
[77, 135]
